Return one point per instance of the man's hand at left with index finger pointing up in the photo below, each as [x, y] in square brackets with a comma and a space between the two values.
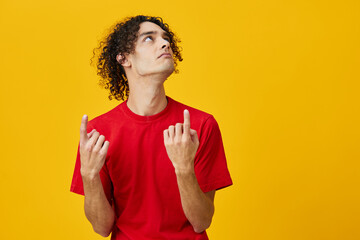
[93, 150]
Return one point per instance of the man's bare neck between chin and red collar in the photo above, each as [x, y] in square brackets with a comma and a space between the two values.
[146, 97]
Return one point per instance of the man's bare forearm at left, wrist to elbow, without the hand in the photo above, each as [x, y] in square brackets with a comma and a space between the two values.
[97, 208]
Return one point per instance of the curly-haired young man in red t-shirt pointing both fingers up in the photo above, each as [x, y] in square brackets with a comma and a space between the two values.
[148, 168]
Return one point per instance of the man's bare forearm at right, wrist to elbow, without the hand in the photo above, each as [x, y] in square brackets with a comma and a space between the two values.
[198, 208]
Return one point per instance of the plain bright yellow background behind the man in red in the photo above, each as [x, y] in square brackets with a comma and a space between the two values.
[280, 77]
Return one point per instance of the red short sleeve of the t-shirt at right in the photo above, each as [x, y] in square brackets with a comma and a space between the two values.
[210, 161]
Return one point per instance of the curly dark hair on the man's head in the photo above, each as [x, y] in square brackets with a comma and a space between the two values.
[121, 40]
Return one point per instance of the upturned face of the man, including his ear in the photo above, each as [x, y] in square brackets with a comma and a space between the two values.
[153, 54]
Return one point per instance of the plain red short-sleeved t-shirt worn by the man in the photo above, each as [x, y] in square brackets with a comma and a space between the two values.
[140, 178]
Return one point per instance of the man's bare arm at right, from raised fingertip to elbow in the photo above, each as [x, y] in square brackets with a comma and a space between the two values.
[181, 144]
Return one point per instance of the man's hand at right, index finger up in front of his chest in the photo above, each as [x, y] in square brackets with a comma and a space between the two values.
[181, 143]
